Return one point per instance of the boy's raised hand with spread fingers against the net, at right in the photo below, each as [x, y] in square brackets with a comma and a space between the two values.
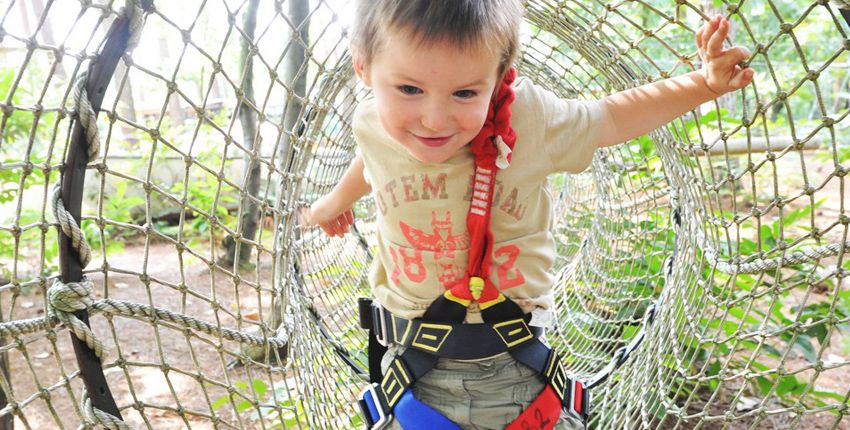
[720, 65]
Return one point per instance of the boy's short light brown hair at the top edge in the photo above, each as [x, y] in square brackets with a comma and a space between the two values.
[467, 24]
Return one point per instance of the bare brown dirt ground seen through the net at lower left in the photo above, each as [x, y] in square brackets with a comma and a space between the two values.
[144, 349]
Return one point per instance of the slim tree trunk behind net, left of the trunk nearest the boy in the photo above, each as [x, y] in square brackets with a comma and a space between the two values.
[249, 209]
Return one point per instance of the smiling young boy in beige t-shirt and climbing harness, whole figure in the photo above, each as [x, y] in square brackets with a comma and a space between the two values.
[445, 98]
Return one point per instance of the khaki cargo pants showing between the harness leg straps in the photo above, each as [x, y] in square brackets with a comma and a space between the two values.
[486, 394]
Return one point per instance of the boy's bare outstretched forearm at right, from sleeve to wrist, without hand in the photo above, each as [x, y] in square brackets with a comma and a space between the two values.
[634, 112]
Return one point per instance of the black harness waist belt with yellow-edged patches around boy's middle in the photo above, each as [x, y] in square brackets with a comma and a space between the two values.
[455, 341]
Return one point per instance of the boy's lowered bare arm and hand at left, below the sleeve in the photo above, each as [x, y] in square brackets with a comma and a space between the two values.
[332, 212]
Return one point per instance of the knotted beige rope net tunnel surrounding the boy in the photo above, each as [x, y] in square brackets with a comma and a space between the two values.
[154, 157]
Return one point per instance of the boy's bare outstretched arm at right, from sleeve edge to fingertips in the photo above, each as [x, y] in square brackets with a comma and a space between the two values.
[634, 112]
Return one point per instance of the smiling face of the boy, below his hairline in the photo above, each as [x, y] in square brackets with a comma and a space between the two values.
[431, 98]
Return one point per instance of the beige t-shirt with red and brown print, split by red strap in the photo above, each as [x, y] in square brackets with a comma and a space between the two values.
[421, 220]
